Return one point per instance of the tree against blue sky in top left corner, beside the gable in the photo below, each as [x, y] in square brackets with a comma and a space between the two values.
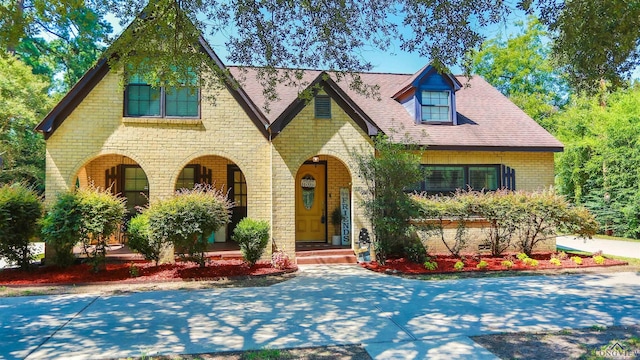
[57, 38]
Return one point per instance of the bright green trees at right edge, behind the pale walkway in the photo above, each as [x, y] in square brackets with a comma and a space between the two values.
[599, 166]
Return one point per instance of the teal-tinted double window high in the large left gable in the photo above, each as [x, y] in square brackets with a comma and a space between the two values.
[141, 99]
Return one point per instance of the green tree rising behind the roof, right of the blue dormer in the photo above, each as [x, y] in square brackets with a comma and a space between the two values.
[521, 69]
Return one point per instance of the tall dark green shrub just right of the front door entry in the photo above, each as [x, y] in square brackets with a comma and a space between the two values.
[386, 174]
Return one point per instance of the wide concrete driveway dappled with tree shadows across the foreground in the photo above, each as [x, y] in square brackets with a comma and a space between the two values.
[394, 318]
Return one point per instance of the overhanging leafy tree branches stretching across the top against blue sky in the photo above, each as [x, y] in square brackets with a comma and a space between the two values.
[334, 34]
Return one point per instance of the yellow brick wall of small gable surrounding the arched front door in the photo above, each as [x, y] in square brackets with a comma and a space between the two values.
[304, 137]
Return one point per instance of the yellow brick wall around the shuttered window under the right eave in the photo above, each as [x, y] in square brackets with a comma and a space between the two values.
[534, 170]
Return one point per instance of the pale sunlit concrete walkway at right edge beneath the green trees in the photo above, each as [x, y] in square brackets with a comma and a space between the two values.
[630, 249]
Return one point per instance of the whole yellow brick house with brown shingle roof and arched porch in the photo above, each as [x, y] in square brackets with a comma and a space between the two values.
[290, 166]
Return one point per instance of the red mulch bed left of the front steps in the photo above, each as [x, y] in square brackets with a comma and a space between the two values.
[138, 271]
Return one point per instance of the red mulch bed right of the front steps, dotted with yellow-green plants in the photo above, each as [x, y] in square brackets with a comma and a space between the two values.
[446, 263]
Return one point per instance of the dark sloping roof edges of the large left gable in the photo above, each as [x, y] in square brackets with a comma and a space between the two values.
[92, 77]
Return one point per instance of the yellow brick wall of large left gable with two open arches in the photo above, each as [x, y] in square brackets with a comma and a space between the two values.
[96, 130]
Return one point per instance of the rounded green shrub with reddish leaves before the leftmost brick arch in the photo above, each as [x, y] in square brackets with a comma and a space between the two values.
[86, 216]
